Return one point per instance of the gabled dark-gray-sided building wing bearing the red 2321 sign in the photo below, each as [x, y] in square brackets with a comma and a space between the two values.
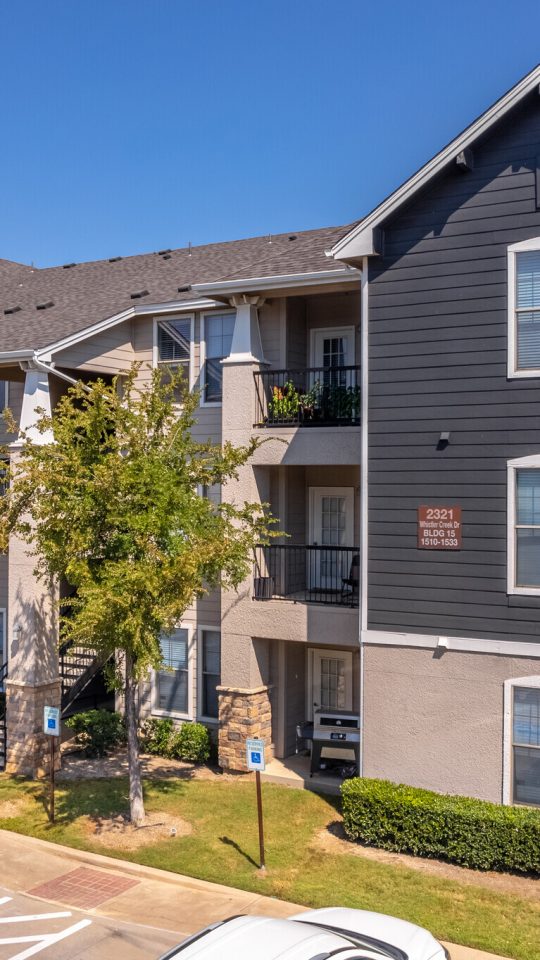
[451, 467]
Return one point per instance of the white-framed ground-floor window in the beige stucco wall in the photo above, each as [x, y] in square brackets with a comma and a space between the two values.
[522, 741]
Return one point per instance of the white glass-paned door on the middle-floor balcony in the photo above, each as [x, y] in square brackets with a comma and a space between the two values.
[331, 525]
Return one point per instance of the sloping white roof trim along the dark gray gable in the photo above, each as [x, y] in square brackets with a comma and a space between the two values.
[359, 242]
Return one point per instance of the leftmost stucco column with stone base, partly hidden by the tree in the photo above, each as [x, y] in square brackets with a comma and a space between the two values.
[32, 634]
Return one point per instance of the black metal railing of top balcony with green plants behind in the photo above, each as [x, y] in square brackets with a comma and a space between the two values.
[315, 396]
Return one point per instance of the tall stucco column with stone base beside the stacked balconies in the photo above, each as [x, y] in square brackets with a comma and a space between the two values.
[244, 704]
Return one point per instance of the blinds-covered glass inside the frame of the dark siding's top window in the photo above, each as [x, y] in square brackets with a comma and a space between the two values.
[527, 310]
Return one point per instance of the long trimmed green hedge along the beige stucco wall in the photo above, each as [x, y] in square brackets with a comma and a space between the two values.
[472, 833]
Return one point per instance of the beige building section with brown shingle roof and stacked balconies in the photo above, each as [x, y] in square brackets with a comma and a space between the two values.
[268, 331]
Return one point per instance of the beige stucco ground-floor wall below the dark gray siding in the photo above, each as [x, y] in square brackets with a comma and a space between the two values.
[436, 721]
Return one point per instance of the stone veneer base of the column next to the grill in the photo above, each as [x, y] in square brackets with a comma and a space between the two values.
[243, 714]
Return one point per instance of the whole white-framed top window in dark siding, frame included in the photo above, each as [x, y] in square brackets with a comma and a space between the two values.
[524, 309]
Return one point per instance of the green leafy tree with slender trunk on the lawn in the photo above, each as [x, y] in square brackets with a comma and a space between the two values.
[114, 507]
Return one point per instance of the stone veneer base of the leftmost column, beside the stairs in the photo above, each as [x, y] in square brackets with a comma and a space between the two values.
[27, 746]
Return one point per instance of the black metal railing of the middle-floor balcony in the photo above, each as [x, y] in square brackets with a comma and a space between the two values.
[307, 574]
